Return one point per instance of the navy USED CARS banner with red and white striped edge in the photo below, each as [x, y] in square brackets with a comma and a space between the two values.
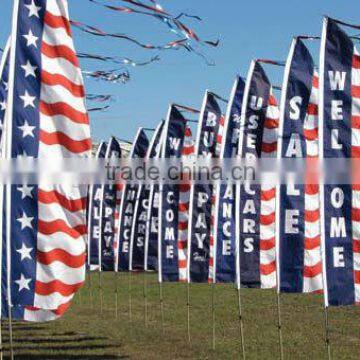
[255, 203]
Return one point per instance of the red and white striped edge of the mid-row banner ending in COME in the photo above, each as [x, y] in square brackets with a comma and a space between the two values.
[188, 151]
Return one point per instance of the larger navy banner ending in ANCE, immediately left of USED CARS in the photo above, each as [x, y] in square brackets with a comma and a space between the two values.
[224, 226]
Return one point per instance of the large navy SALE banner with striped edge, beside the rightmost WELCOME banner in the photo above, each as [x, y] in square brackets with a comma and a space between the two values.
[297, 203]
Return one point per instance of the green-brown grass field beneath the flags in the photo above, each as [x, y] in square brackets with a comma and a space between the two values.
[86, 333]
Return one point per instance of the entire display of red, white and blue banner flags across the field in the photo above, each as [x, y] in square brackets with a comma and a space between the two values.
[296, 238]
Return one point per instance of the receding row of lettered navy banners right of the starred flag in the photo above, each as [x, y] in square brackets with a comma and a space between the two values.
[300, 238]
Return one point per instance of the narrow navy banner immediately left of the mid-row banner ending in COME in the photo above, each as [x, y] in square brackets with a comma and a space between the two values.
[152, 225]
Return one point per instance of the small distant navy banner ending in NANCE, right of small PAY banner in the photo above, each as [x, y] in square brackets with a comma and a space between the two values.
[127, 207]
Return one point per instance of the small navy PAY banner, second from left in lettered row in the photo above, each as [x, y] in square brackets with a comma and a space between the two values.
[108, 211]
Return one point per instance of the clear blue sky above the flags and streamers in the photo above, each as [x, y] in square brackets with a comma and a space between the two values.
[246, 29]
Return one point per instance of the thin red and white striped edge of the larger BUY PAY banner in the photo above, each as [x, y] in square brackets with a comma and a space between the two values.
[212, 254]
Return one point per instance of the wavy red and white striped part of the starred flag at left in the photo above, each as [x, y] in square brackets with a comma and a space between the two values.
[64, 132]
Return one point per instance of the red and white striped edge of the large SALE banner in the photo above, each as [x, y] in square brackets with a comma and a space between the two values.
[312, 272]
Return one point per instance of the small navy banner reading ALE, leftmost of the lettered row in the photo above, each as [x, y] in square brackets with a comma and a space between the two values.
[95, 200]
